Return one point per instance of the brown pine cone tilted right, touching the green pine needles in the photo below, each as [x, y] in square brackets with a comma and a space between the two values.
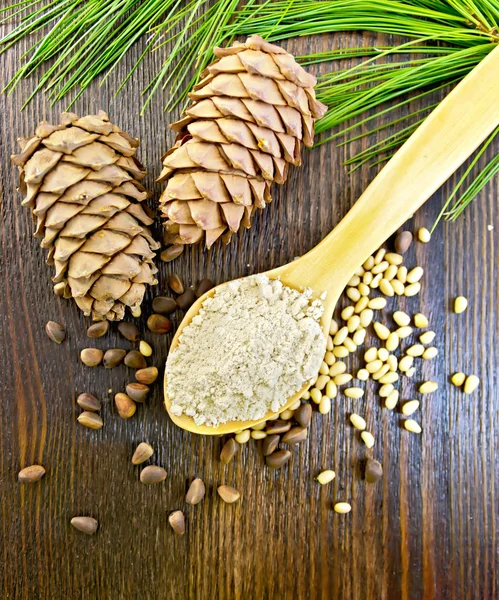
[248, 118]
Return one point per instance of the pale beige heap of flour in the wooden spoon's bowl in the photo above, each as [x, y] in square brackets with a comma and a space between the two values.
[252, 346]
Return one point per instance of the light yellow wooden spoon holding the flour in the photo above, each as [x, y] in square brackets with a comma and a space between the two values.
[429, 157]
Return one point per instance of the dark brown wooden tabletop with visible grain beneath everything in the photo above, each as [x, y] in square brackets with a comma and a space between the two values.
[428, 530]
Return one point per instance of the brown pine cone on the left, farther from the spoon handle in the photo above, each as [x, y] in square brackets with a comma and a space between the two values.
[81, 181]
